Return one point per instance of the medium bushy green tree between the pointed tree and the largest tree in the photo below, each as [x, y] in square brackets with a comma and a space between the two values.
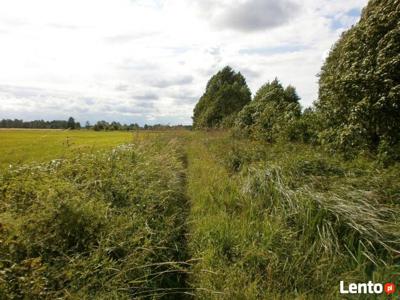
[272, 114]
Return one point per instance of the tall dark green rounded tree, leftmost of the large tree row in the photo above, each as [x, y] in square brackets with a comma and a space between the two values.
[226, 94]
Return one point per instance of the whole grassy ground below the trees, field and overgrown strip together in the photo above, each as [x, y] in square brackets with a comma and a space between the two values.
[182, 215]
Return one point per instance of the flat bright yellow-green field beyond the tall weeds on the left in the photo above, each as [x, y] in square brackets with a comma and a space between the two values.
[20, 146]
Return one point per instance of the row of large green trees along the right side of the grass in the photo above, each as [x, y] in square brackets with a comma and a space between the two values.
[358, 106]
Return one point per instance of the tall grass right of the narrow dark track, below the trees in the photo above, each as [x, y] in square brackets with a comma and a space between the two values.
[269, 222]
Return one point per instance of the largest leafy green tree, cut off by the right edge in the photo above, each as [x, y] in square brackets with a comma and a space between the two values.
[359, 85]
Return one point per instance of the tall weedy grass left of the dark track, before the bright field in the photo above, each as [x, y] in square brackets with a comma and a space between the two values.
[109, 225]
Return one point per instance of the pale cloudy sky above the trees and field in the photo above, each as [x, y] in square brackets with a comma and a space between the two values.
[148, 61]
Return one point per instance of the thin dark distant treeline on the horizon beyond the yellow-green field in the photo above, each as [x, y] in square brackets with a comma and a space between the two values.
[71, 124]
